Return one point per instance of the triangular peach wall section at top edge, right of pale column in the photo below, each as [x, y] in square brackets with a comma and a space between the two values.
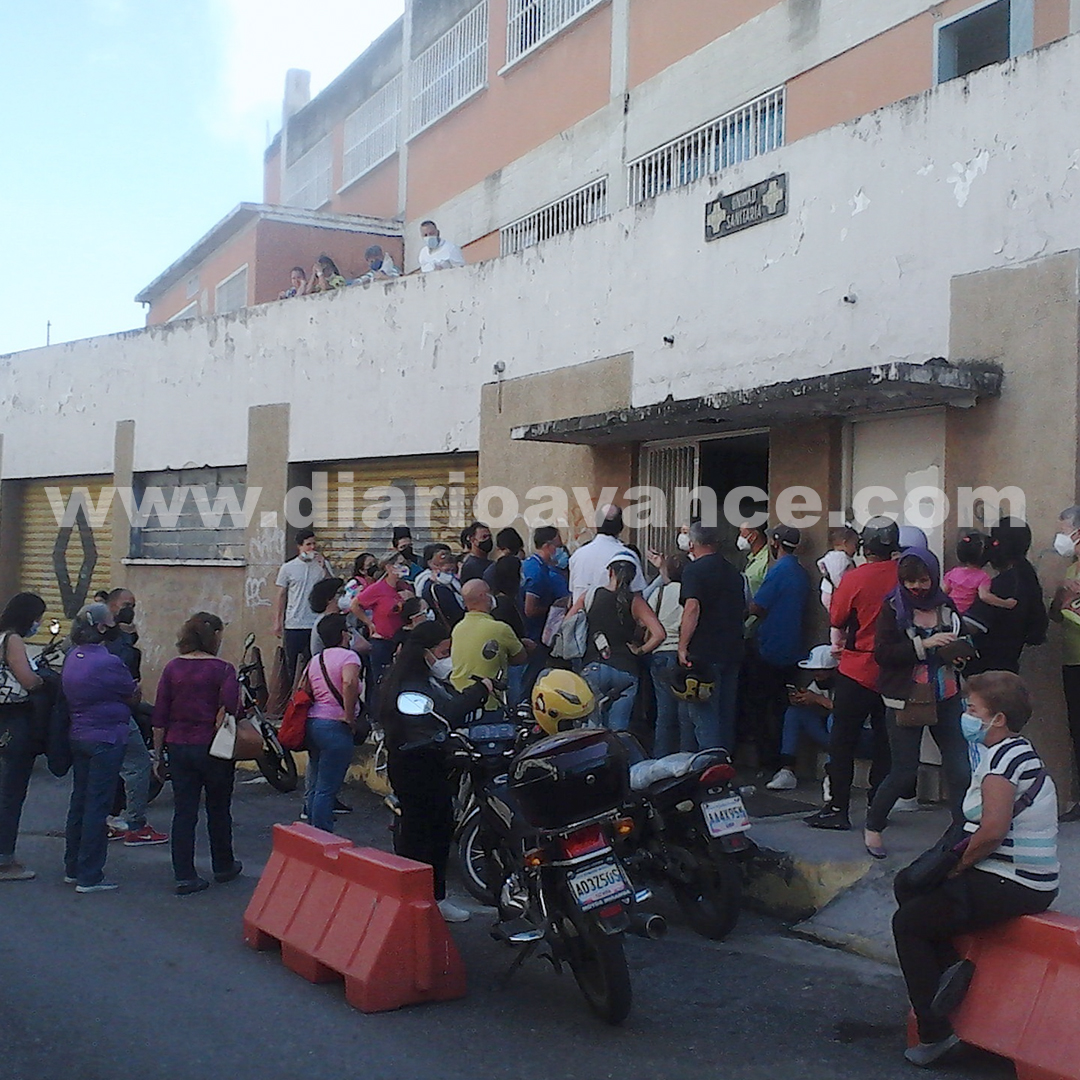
[664, 32]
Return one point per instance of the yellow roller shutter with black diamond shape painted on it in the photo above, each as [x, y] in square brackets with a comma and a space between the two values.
[65, 565]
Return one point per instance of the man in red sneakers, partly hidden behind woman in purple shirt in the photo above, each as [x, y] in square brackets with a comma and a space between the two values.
[129, 822]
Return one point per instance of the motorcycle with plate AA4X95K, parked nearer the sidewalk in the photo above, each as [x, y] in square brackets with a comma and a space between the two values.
[690, 833]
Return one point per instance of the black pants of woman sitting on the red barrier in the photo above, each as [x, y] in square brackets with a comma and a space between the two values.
[925, 926]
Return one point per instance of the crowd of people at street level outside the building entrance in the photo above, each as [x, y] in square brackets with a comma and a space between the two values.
[706, 655]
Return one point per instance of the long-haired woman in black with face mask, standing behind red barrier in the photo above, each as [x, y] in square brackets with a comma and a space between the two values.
[416, 751]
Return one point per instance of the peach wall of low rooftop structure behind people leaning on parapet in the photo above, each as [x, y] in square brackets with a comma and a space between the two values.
[281, 247]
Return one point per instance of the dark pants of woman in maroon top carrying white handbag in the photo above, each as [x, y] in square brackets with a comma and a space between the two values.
[194, 772]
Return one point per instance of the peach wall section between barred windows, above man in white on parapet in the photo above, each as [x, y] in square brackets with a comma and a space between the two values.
[571, 77]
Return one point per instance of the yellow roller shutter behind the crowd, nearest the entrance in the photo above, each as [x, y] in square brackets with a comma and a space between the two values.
[343, 542]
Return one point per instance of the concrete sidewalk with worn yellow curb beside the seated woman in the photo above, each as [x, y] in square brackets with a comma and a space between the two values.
[827, 886]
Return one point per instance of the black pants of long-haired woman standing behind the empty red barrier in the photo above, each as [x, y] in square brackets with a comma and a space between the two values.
[422, 782]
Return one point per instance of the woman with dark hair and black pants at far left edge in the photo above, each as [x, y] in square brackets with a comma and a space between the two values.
[21, 619]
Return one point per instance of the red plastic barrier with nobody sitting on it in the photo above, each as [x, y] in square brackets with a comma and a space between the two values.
[363, 915]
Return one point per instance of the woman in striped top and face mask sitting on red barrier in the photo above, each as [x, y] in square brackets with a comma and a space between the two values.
[1009, 868]
